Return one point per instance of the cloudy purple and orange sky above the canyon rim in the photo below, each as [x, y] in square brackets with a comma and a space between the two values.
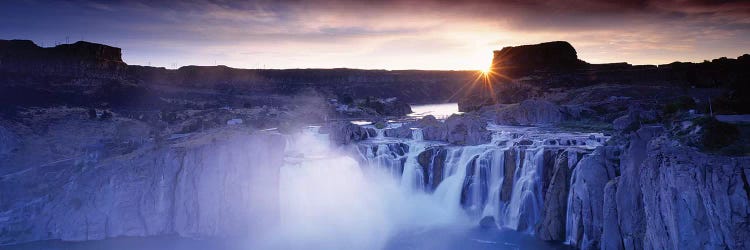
[388, 34]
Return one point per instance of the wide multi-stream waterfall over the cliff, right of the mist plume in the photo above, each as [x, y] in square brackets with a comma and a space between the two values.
[501, 179]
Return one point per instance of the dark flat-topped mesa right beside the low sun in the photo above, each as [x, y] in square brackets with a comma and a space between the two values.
[522, 60]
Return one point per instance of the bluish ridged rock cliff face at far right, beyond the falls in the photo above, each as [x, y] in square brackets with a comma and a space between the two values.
[694, 201]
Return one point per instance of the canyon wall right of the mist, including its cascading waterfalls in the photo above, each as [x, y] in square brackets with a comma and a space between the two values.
[646, 192]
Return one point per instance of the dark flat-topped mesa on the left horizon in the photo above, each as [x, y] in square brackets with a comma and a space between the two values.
[77, 59]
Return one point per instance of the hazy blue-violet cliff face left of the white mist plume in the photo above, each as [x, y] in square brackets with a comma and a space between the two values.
[221, 184]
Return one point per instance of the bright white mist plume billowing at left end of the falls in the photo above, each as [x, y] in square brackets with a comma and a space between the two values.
[328, 202]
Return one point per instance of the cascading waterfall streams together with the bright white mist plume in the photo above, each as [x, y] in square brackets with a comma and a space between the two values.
[366, 203]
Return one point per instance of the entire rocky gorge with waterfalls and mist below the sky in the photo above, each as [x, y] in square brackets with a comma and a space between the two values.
[560, 154]
